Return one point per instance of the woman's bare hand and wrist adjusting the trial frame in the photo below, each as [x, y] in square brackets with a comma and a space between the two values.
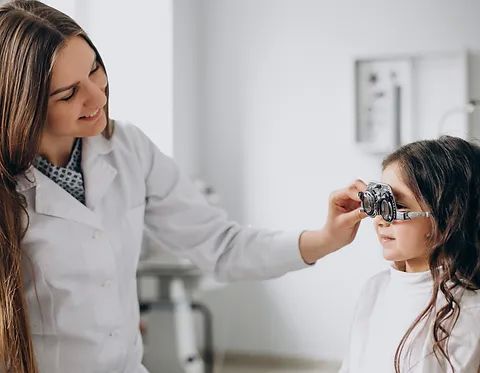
[343, 220]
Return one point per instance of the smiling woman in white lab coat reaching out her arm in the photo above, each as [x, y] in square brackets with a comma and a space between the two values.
[81, 195]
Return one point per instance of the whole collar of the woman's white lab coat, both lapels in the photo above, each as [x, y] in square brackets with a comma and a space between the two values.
[53, 200]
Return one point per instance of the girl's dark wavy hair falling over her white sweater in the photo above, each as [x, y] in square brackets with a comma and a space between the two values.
[444, 176]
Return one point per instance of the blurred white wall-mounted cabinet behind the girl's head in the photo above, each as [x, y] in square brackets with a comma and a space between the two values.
[405, 98]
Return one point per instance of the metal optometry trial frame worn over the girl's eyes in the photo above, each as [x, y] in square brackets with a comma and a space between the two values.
[378, 199]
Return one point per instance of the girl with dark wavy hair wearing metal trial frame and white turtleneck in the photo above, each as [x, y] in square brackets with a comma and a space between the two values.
[423, 313]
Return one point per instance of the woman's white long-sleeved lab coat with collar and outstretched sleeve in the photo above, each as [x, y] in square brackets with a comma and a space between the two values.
[80, 266]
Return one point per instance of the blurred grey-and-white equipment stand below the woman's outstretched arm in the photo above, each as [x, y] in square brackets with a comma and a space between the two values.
[173, 349]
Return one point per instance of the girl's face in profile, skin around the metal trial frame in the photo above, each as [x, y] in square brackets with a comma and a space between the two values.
[404, 242]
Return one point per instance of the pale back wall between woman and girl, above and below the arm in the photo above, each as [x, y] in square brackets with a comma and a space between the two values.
[276, 137]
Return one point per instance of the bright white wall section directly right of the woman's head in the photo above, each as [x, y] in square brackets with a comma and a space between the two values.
[136, 44]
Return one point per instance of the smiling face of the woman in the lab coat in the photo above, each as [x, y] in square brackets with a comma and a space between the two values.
[77, 93]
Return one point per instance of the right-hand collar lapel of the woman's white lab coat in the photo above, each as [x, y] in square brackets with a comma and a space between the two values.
[98, 173]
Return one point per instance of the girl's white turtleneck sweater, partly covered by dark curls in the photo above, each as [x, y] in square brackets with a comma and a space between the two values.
[388, 304]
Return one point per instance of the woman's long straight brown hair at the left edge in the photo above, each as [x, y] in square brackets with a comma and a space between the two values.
[31, 34]
